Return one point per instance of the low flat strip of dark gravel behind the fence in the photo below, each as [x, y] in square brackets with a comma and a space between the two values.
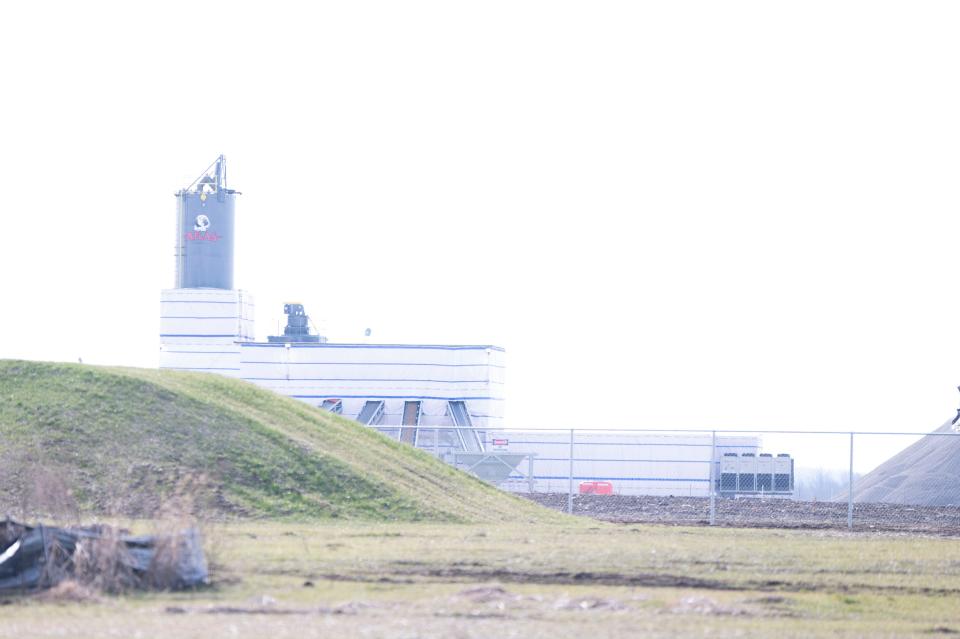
[758, 513]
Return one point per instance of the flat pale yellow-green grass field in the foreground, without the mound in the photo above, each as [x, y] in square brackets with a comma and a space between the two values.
[554, 580]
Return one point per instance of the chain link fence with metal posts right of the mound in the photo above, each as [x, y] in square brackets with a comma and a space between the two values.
[786, 479]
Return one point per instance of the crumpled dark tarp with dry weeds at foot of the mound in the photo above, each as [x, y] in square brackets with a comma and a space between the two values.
[40, 556]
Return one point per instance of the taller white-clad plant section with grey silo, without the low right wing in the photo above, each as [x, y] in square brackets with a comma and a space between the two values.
[207, 325]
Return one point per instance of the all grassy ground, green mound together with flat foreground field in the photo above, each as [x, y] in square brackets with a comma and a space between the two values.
[399, 544]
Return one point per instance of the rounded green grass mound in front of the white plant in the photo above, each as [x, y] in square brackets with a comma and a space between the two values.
[122, 439]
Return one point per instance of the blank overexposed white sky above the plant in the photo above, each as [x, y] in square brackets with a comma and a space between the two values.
[672, 214]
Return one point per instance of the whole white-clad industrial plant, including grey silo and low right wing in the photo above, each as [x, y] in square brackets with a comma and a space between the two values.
[446, 399]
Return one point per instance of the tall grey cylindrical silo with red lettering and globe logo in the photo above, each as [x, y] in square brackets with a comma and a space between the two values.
[205, 223]
